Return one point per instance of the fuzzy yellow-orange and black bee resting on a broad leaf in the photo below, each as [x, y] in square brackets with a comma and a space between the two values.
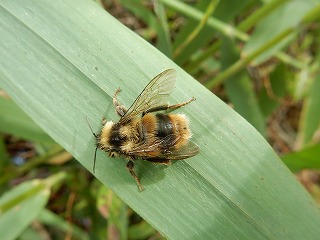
[144, 132]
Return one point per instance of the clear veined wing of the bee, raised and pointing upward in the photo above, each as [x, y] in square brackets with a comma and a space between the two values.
[153, 95]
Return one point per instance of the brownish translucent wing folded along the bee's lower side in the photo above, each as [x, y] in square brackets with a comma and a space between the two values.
[154, 150]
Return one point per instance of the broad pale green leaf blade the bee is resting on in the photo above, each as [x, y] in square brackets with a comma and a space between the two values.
[72, 56]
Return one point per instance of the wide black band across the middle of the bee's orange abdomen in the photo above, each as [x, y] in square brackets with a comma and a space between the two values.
[165, 130]
